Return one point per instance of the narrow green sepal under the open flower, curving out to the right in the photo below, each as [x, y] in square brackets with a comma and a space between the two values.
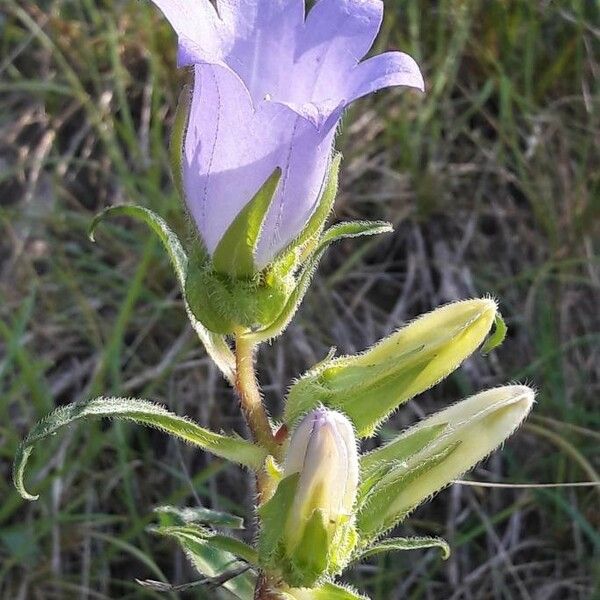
[337, 232]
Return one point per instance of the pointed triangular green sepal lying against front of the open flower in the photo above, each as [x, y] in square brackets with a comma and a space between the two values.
[234, 254]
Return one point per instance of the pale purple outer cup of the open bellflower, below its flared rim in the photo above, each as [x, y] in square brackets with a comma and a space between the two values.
[231, 148]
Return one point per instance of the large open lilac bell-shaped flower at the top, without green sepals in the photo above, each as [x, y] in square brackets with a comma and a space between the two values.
[269, 88]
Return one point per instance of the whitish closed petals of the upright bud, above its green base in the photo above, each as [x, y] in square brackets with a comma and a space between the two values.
[323, 451]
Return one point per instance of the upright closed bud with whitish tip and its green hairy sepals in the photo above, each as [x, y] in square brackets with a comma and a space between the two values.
[308, 526]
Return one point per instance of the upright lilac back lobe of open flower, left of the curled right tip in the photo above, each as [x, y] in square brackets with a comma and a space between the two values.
[337, 35]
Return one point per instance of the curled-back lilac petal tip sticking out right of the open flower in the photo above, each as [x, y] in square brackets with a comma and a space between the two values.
[384, 70]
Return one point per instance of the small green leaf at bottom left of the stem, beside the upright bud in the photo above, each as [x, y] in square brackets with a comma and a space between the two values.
[212, 559]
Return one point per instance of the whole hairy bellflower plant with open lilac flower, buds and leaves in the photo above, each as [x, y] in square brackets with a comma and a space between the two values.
[253, 160]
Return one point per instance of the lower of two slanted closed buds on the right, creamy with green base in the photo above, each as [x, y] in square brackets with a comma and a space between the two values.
[473, 429]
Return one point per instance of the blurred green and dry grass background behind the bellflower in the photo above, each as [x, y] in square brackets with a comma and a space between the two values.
[493, 182]
